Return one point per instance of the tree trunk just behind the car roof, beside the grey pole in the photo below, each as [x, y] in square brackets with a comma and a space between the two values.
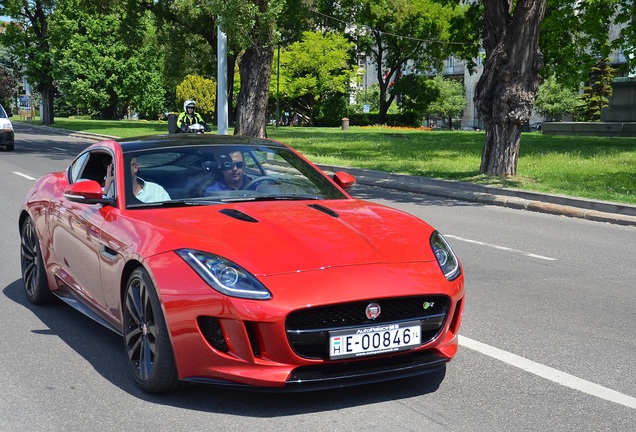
[255, 69]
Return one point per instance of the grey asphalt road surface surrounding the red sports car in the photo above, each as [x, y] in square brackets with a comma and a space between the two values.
[547, 341]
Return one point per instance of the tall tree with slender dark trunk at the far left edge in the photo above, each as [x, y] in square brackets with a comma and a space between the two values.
[28, 37]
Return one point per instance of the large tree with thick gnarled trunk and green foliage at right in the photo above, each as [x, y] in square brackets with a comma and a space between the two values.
[573, 36]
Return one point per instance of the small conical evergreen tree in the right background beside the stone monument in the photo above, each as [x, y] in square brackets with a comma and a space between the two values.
[597, 92]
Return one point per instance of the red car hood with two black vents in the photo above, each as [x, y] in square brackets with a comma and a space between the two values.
[279, 237]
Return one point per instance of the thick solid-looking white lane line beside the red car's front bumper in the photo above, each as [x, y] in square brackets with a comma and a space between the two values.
[549, 373]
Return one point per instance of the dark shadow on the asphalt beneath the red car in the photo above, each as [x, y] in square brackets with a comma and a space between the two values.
[103, 349]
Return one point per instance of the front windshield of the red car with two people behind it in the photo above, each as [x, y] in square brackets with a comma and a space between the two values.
[203, 175]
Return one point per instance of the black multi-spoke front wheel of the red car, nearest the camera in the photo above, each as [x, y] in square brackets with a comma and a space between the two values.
[147, 344]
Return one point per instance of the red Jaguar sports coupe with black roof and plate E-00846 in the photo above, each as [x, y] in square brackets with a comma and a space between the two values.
[235, 261]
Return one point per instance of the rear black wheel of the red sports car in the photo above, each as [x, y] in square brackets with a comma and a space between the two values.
[36, 284]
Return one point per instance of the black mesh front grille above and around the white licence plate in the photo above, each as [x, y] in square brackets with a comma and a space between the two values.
[308, 329]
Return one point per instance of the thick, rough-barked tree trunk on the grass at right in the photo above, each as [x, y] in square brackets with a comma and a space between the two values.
[506, 90]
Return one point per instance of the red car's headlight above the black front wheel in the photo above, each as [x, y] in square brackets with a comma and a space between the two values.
[224, 276]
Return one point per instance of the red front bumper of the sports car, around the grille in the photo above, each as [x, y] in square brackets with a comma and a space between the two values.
[245, 343]
